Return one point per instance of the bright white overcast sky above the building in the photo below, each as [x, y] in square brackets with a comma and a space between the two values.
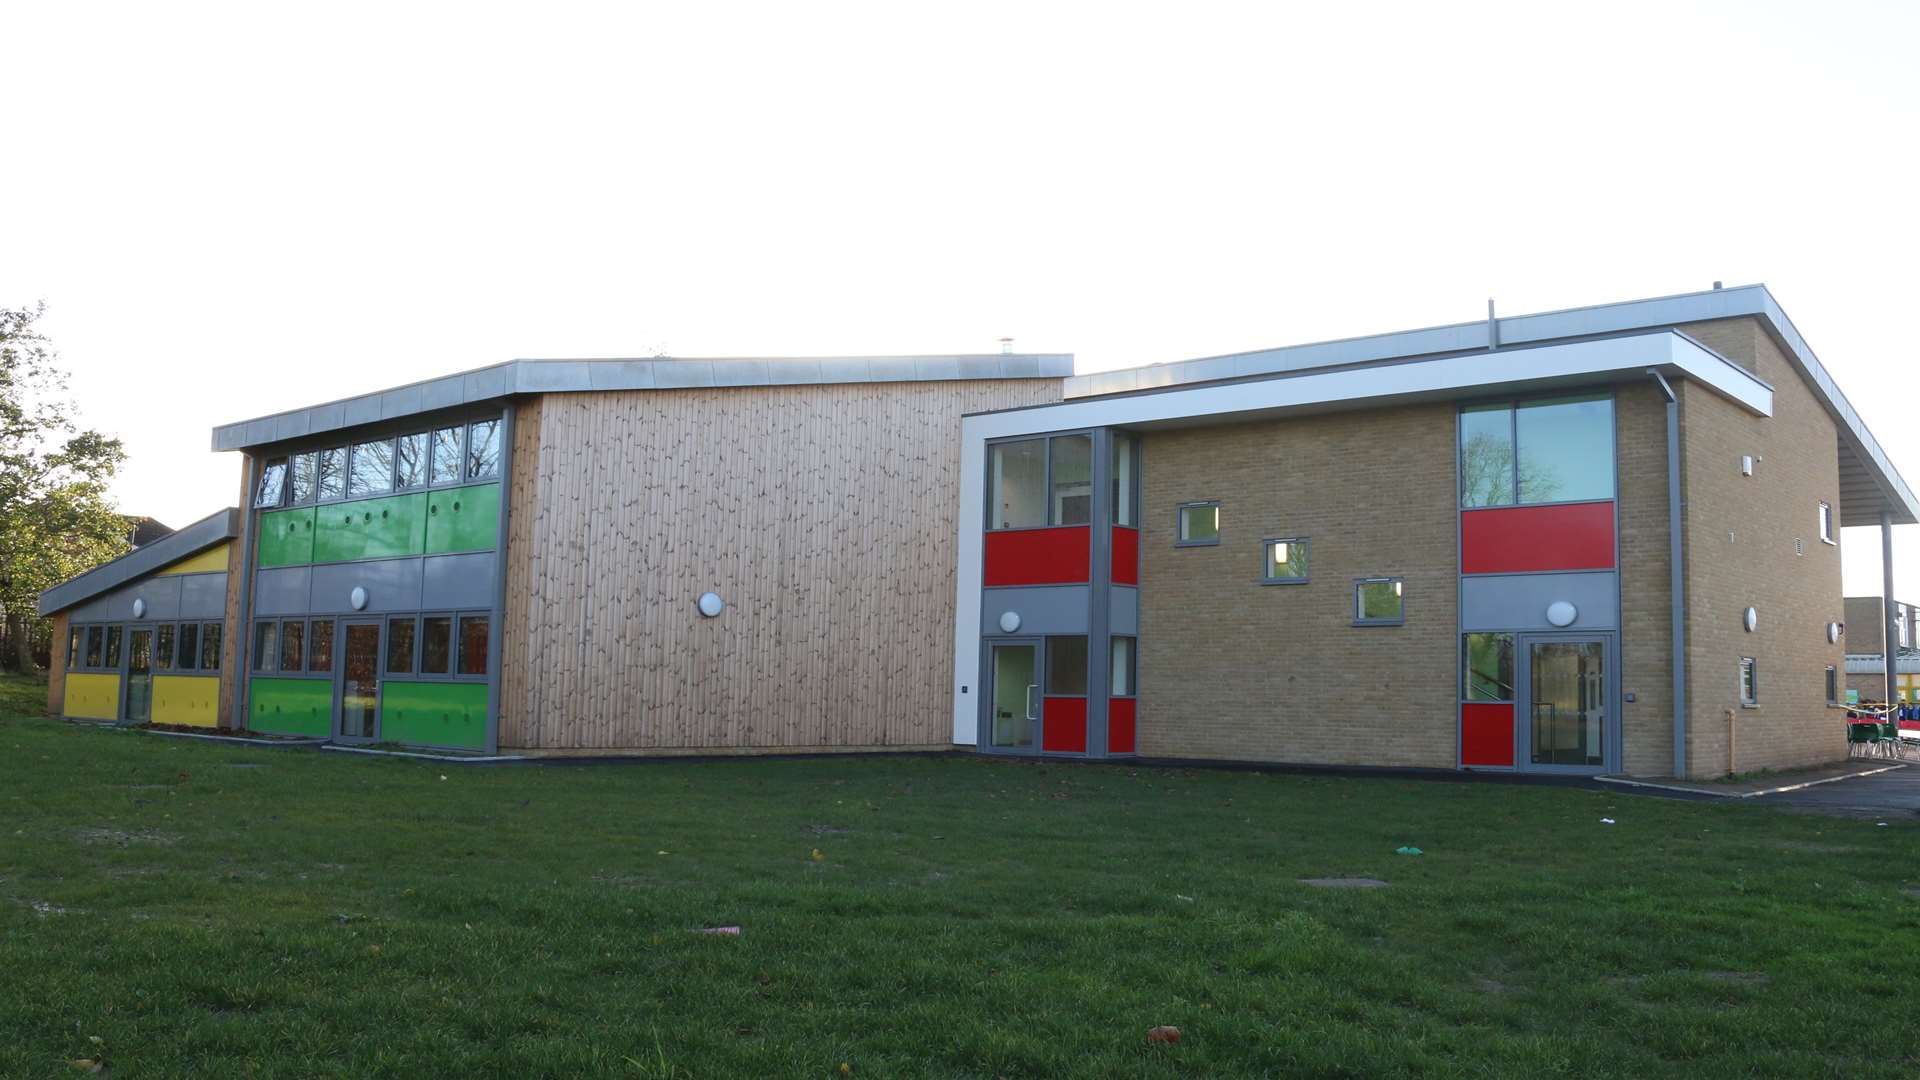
[235, 210]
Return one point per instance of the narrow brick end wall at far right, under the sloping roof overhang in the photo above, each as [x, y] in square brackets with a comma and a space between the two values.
[1740, 551]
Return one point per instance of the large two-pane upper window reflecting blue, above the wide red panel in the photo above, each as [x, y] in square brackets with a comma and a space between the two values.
[1537, 453]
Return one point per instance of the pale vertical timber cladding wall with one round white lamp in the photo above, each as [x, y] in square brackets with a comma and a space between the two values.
[823, 516]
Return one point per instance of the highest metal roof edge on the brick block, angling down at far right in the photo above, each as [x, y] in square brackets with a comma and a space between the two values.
[1867, 478]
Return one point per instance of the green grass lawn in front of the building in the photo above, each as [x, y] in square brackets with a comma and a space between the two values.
[210, 910]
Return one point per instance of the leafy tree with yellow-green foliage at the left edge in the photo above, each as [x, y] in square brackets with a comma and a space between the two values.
[55, 516]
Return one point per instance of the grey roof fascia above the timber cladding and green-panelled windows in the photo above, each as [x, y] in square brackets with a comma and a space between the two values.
[656, 374]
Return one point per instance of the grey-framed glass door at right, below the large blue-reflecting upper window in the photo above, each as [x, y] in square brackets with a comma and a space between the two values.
[1570, 718]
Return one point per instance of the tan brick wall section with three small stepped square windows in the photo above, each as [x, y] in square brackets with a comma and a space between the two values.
[1232, 668]
